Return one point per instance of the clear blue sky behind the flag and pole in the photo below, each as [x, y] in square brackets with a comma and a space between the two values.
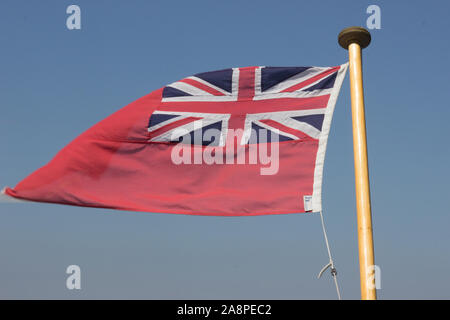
[55, 83]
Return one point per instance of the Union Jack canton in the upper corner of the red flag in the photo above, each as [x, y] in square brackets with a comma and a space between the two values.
[289, 103]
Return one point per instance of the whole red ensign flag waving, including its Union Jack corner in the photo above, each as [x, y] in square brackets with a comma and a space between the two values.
[239, 141]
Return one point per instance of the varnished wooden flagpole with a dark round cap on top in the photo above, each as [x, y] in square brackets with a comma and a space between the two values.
[354, 39]
